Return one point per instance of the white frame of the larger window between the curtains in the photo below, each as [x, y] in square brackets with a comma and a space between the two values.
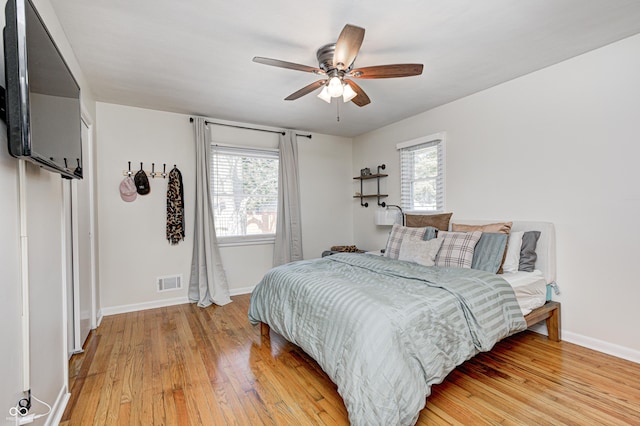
[252, 239]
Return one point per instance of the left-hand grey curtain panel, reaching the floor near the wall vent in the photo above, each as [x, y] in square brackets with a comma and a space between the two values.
[208, 282]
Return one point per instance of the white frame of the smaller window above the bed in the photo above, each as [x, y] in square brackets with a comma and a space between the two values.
[438, 140]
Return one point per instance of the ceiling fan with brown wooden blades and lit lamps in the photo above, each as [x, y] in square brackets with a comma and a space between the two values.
[335, 64]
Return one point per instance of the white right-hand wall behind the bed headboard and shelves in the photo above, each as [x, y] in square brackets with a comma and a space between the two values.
[558, 145]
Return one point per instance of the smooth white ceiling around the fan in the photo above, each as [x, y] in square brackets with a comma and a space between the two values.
[195, 56]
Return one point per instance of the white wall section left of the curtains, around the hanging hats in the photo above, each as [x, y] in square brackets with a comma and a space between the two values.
[133, 246]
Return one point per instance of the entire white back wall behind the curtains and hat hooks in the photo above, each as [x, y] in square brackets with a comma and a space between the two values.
[133, 248]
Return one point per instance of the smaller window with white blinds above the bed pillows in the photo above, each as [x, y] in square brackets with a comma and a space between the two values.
[422, 174]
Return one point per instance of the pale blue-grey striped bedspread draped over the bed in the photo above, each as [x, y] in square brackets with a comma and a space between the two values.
[385, 330]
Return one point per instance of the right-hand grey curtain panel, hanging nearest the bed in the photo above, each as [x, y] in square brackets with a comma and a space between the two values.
[288, 243]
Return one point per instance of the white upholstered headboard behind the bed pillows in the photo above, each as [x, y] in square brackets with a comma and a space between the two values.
[545, 249]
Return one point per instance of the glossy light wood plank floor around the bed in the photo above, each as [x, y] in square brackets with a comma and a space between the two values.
[184, 365]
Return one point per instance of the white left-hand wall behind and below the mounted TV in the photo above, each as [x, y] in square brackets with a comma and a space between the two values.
[44, 208]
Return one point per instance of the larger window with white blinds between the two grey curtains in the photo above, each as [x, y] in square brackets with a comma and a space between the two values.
[244, 193]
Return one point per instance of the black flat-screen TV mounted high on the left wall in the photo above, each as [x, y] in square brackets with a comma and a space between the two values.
[42, 96]
